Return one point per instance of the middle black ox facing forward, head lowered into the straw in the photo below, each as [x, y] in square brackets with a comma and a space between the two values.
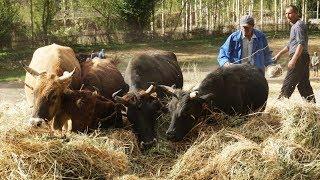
[143, 104]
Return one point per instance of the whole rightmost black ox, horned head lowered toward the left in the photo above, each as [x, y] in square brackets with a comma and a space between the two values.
[238, 89]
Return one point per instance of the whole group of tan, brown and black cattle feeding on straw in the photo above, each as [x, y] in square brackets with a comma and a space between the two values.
[85, 96]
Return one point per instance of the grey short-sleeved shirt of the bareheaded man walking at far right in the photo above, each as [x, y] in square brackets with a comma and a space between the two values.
[298, 35]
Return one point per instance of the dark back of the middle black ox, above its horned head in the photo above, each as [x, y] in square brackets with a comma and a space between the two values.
[160, 67]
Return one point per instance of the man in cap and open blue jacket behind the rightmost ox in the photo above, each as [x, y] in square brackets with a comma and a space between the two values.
[247, 45]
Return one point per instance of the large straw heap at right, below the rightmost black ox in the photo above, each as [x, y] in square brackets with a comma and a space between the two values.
[283, 143]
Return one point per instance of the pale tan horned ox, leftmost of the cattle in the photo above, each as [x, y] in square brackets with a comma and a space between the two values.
[45, 82]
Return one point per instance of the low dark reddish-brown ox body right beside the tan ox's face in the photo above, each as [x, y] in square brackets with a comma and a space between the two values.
[89, 111]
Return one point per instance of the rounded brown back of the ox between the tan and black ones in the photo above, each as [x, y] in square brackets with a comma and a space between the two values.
[102, 75]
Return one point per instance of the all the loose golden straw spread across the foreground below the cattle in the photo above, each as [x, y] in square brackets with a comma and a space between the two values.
[281, 143]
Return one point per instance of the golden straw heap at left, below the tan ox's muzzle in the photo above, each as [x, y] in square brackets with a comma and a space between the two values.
[37, 154]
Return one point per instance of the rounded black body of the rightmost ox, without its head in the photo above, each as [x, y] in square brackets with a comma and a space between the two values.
[238, 89]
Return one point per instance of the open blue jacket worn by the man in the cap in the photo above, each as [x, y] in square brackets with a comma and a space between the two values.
[231, 50]
